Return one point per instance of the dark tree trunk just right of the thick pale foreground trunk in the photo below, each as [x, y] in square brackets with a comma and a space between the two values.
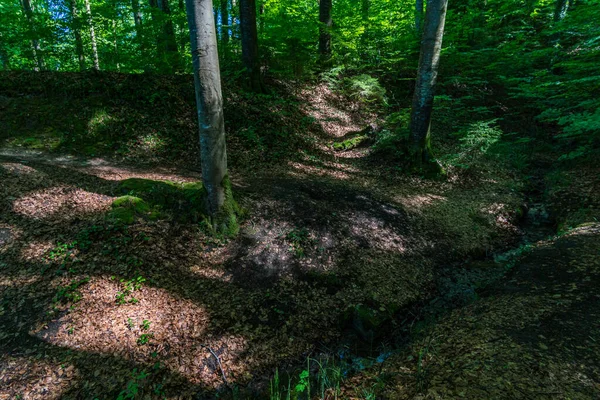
[250, 45]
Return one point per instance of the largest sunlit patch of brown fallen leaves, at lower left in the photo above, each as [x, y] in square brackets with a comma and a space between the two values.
[174, 332]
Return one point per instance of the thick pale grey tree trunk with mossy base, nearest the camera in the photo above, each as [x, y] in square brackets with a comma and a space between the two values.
[209, 102]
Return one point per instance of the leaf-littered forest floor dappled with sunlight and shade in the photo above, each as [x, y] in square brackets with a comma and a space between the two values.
[339, 260]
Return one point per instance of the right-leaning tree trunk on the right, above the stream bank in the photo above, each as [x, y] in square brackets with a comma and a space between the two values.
[422, 106]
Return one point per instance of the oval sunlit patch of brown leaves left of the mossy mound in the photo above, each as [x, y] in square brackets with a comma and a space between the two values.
[63, 203]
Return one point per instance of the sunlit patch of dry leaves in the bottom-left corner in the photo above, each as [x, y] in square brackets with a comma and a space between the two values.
[31, 377]
